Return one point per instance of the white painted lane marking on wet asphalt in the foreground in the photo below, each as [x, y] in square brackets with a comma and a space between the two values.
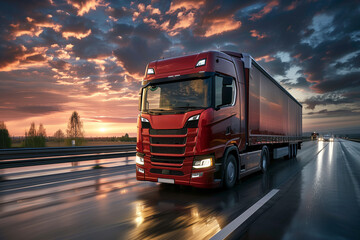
[228, 229]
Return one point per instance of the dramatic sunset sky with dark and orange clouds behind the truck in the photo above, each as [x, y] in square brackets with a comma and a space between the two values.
[57, 56]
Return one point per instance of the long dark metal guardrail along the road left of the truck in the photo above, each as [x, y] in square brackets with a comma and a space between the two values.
[23, 157]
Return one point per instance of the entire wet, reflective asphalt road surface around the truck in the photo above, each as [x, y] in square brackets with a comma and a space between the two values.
[319, 198]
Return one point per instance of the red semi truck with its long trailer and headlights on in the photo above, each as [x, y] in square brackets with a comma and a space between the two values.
[208, 119]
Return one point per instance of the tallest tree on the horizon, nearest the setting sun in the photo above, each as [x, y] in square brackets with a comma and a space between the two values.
[75, 130]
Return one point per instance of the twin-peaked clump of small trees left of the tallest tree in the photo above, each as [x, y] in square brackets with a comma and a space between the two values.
[35, 138]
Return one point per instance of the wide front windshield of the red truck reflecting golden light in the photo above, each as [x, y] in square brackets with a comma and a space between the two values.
[180, 95]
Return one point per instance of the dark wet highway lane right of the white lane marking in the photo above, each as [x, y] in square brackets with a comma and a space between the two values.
[323, 201]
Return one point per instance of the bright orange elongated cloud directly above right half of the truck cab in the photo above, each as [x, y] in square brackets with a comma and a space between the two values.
[219, 26]
